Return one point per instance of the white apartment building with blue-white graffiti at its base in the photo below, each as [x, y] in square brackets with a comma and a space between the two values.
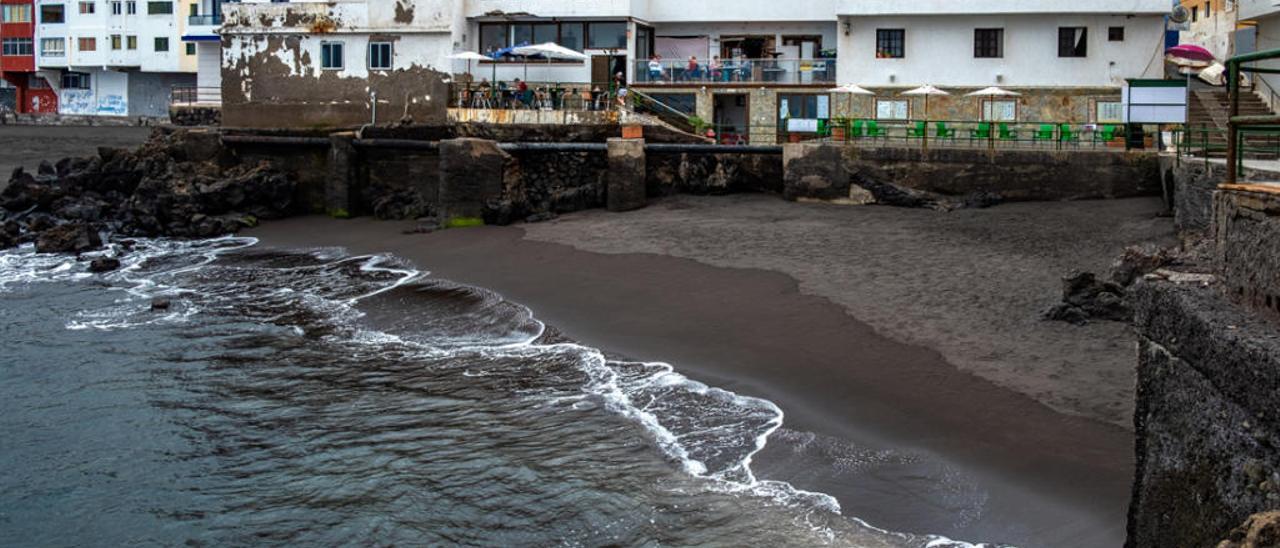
[115, 57]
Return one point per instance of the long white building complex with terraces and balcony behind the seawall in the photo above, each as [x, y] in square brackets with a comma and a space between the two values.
[748, 66]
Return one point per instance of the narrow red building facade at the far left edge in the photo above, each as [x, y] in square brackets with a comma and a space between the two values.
[33, 94]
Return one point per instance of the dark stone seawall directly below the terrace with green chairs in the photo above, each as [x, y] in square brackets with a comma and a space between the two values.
[1013, 175]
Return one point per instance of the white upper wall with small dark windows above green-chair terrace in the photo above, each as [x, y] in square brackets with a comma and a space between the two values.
[940, 52]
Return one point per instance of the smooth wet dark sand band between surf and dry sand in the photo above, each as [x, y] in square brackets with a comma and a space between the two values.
[894, 410]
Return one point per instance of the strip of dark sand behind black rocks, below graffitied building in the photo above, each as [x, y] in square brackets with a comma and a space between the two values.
[26, 145]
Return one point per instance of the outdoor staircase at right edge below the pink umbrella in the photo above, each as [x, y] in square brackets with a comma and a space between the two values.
[1210, 111]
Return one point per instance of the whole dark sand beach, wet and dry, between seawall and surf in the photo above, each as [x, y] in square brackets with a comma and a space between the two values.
[899, 433]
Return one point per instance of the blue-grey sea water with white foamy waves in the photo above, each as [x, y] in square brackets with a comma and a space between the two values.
[321, 399]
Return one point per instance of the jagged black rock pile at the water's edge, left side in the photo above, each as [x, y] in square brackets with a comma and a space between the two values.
[180, 184]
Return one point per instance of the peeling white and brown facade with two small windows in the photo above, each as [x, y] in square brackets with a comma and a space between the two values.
[313, 65]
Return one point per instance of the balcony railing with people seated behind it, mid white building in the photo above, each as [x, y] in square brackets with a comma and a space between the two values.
[781, 72]
